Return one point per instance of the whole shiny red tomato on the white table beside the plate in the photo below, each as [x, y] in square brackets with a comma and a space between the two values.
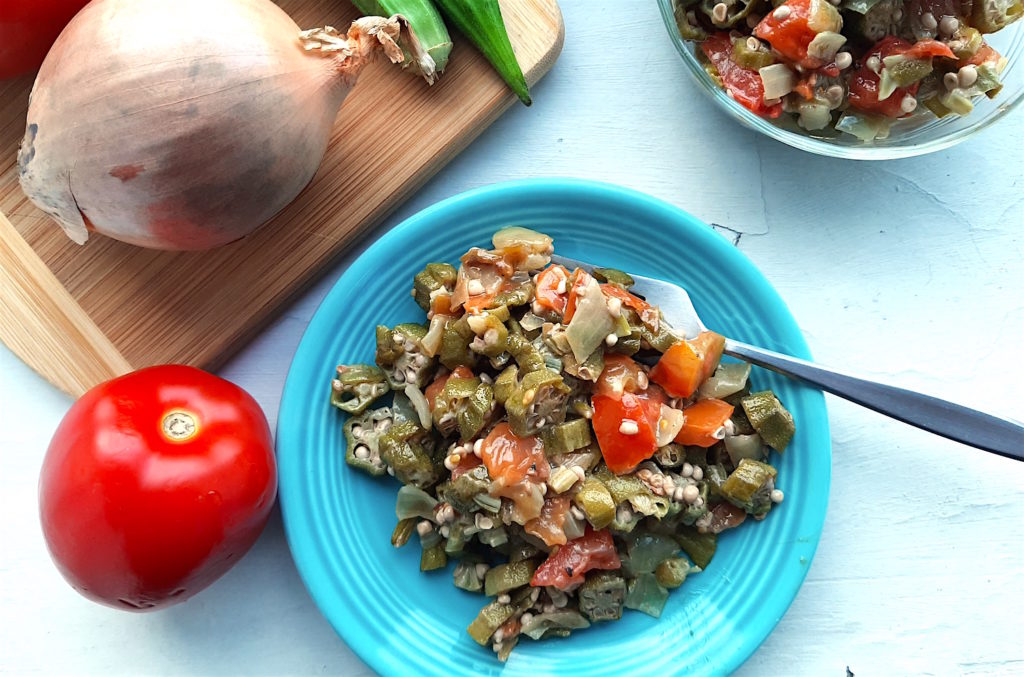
[155, 485]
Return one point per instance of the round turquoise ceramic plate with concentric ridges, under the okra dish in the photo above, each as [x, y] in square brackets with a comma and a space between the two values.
[339, 522]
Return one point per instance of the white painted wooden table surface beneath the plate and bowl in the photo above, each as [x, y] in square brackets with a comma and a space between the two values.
[909, 271]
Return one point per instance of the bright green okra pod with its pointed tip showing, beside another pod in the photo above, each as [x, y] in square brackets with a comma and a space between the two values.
[482, 22]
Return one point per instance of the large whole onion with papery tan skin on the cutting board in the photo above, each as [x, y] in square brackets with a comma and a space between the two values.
[184, 124]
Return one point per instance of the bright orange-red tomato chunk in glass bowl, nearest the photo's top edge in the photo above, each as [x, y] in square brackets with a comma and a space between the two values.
[793, 26]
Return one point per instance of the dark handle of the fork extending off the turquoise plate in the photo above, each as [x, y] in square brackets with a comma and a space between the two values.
[962, 425]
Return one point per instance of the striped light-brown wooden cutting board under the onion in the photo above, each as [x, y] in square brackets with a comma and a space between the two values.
[81, 315]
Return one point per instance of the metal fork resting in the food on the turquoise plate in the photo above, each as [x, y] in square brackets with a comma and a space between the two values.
[992, 434]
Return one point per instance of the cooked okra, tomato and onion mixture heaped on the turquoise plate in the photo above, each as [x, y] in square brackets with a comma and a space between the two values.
[558, 440]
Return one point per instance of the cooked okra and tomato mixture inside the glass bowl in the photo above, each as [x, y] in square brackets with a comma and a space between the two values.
[850, 66]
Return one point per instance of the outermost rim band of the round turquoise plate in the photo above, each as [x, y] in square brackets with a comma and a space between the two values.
[290, 436]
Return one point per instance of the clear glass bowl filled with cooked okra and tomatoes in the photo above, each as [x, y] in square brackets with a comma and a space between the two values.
[858, 79]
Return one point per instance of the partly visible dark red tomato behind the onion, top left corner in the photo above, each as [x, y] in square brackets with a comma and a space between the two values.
[28, 29]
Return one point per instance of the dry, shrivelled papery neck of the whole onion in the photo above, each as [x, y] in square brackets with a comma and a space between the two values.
[366, 37]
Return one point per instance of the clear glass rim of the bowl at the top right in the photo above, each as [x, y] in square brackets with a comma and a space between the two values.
[809, 144]
